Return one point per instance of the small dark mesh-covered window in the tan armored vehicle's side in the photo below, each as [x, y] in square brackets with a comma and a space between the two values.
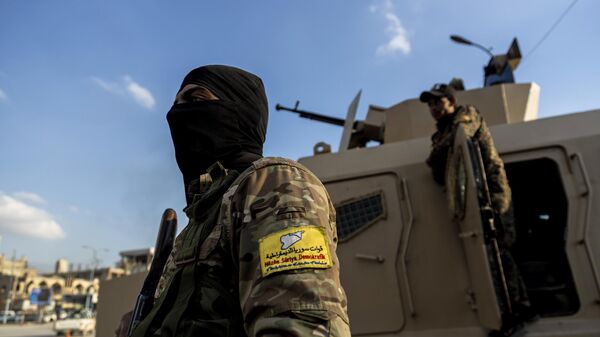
[357, 214]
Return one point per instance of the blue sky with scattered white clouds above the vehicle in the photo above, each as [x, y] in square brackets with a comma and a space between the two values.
[85, 151]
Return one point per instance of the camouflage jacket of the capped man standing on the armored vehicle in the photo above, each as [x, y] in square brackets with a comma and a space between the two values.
[442, 142]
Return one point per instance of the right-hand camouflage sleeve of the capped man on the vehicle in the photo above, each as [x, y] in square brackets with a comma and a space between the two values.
[500, 192]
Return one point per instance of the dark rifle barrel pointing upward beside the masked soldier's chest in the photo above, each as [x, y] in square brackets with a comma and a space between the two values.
[163, 247]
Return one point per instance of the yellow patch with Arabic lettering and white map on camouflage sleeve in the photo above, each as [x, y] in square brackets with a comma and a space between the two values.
[294, 248]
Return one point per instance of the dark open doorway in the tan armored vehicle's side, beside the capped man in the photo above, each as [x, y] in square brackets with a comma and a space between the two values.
[540, 206]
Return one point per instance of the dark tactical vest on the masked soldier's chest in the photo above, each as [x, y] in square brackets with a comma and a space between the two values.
[196, 301]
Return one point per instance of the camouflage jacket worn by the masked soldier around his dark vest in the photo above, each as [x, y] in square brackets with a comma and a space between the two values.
[273, 249]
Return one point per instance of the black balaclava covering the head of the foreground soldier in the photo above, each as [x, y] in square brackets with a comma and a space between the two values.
[230, 130]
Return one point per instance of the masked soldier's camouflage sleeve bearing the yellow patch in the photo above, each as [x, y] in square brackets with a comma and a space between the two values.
[284, 238]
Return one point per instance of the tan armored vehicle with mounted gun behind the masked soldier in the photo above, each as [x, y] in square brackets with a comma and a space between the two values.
[413, 255]
